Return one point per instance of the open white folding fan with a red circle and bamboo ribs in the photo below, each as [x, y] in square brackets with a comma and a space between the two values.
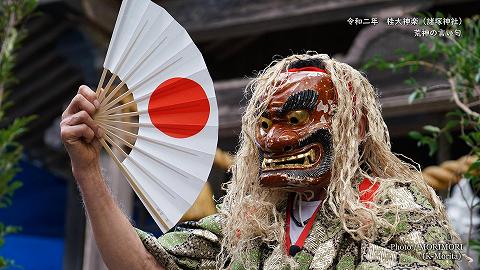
[158, 110]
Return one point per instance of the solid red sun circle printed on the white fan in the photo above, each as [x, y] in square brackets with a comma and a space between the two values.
[179, 107]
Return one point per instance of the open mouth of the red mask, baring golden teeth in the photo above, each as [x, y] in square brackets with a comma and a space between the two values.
[302, 160]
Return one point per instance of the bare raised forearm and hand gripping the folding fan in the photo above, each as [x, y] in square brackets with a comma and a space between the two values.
[119, 244]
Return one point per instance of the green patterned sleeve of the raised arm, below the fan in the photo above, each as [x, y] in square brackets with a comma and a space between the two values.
[190, 245]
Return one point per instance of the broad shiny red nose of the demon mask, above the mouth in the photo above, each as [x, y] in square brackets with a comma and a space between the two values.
[280, 140]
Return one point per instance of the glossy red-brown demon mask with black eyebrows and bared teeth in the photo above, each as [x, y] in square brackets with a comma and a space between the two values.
[294, 134]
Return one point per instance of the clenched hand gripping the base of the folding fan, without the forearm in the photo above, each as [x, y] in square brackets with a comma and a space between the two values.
[79, 132]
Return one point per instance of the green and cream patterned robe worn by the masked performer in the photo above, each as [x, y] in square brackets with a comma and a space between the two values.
[195, 245]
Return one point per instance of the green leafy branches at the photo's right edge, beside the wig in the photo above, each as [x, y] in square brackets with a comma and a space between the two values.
[457, 59]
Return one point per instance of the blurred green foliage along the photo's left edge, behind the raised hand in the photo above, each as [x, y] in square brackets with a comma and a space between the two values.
[13, 14]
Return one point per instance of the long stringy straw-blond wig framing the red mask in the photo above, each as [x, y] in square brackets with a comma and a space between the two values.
[252, 213]
